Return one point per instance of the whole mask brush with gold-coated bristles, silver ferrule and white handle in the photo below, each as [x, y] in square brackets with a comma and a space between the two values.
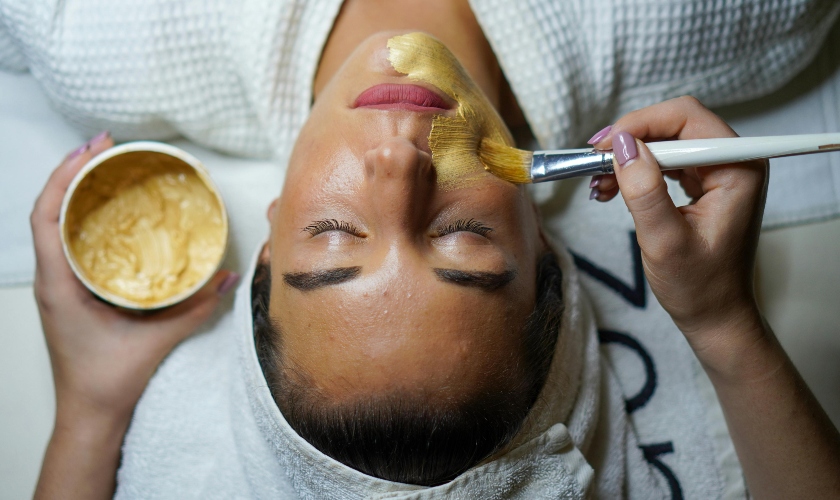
[523, 167]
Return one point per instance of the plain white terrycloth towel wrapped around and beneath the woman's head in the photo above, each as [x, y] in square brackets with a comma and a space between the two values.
[207, 427]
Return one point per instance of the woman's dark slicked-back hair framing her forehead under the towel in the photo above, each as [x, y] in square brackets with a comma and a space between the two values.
[402, 437]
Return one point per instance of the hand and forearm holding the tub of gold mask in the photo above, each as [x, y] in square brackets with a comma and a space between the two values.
[101, 357]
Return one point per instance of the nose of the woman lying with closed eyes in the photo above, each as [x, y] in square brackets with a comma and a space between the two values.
[402, 181]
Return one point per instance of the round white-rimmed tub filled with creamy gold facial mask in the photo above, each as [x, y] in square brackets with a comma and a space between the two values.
[143, 228]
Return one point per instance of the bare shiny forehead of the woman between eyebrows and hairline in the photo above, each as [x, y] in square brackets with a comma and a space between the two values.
[403, 333]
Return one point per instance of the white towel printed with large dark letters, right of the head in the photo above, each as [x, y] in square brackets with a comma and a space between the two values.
[669, 399]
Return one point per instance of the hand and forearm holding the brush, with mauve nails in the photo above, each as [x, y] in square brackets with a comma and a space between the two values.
[699, 261]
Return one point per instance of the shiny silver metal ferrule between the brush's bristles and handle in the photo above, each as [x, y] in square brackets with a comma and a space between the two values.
[565, 164]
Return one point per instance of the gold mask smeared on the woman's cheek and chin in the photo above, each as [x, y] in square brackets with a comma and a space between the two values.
[454, 141]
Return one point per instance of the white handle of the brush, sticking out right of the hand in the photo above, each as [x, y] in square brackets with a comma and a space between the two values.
[706, 152]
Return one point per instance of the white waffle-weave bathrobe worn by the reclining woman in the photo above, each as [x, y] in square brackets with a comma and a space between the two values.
[237, 75]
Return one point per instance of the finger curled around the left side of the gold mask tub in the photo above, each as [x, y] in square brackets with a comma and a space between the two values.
[45, 215]
